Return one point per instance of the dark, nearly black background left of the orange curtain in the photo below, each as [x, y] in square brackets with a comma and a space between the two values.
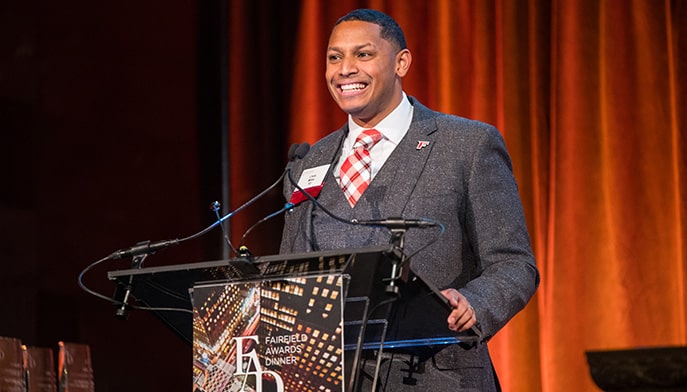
[110, 126]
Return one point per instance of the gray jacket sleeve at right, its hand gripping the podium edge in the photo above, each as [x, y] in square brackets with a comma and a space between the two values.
[497, 233]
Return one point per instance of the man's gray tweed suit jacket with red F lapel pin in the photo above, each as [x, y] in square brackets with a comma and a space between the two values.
[455, 171]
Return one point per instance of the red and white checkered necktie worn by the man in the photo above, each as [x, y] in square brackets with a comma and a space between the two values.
[356, 173]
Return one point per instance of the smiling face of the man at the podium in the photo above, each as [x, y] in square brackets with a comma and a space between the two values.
[364, 71]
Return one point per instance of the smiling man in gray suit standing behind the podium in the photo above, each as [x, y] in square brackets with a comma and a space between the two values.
[425, 165]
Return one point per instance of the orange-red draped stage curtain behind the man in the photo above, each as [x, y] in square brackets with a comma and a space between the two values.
[590, 97]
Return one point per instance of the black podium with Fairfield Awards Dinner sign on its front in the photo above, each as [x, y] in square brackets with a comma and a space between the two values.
[297, 322]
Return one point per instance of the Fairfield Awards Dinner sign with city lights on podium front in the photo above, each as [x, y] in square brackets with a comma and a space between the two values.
[269, 334]
